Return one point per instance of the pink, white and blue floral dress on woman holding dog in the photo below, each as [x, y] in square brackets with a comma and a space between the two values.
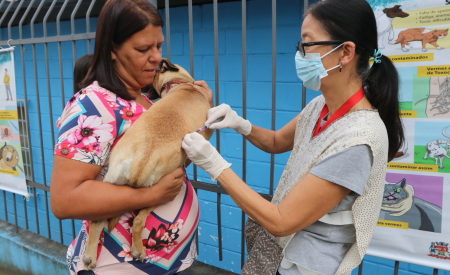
[90, 125]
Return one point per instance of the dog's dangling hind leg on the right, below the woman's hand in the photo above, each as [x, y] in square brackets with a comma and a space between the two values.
[137, 248]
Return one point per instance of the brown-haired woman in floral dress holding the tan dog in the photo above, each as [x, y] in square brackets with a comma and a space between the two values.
[127, 53]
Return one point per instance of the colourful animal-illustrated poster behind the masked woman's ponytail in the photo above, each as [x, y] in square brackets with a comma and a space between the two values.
[414, 221]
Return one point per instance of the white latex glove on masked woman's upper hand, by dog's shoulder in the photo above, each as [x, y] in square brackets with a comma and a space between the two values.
[231, 119]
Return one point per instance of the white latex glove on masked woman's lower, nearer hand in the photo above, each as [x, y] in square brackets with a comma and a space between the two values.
[204, 155]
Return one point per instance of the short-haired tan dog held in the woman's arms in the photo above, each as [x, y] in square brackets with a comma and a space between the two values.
[151, 148]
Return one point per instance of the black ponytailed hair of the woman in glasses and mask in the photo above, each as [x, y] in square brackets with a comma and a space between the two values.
[354, 20]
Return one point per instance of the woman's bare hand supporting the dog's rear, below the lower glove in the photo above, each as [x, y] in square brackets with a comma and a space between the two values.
[168, 187]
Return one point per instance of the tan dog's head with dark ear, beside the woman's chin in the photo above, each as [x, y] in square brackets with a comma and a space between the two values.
[167, 72]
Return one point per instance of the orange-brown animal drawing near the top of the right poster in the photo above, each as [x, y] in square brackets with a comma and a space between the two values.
[425, 35]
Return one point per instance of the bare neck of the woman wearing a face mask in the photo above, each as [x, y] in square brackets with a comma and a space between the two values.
[338, 94]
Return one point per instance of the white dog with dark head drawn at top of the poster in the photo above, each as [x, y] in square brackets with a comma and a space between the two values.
[384, 24]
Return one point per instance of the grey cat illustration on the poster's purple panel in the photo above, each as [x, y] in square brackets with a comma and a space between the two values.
[399, 204]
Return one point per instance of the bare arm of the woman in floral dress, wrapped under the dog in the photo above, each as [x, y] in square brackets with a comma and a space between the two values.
[76, 195]
